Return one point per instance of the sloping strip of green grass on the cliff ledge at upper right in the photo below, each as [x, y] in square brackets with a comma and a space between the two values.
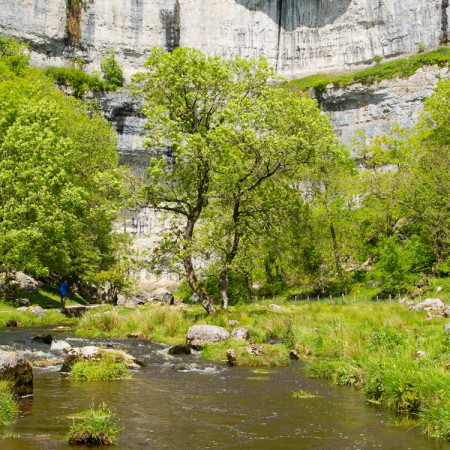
[399, 68]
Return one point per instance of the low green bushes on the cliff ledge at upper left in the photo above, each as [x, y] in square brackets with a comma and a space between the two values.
[80, 81]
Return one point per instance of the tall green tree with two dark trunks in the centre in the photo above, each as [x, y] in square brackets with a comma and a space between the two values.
[231, 136]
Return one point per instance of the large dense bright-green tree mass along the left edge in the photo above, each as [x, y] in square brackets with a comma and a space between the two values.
[59, 182]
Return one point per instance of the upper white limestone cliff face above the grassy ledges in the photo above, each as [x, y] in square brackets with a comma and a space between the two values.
[298, 37]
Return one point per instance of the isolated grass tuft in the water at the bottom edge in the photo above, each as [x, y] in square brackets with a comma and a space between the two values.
[95, 427]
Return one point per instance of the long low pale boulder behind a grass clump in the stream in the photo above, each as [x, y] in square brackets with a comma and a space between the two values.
[92, 353]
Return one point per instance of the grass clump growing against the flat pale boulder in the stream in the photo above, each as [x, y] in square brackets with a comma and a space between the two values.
[104, 370]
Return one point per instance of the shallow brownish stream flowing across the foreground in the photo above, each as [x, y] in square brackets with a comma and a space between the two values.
[185, 403]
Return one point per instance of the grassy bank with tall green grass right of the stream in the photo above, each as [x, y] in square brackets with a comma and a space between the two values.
[395, 355]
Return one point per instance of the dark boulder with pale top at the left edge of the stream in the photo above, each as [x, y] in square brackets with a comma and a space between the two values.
[18, 371]
